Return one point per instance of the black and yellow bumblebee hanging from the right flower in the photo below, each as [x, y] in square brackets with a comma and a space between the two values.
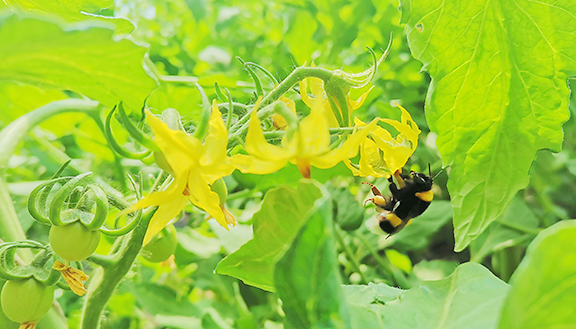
[409, 199]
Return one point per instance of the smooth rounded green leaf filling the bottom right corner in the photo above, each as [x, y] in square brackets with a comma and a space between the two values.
[543, 291]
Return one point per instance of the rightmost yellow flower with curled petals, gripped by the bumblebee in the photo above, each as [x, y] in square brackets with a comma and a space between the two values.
[381, 155]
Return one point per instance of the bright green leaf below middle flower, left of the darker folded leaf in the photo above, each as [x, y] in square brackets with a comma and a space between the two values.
[275, 226]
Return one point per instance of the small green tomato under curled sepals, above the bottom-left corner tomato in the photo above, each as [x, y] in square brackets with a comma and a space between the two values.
[74, 241]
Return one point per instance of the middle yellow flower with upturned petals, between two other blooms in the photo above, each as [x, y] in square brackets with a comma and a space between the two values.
[306, 146]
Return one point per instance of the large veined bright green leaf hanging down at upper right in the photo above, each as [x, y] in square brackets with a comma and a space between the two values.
[498, 94]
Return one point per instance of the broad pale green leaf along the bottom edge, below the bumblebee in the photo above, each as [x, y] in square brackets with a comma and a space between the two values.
[469, 298]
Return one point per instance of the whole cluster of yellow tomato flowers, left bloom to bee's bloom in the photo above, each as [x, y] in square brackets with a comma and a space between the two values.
[195, 165]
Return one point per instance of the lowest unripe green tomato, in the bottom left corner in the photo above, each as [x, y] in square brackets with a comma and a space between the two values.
[26, 300]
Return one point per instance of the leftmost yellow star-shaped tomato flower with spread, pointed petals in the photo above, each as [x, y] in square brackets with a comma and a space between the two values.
[195, 165]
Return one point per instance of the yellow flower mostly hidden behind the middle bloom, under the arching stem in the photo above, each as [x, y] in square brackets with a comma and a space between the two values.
[317, 88]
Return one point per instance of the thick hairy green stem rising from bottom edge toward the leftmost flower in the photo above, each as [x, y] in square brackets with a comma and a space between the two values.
[105, 282]
